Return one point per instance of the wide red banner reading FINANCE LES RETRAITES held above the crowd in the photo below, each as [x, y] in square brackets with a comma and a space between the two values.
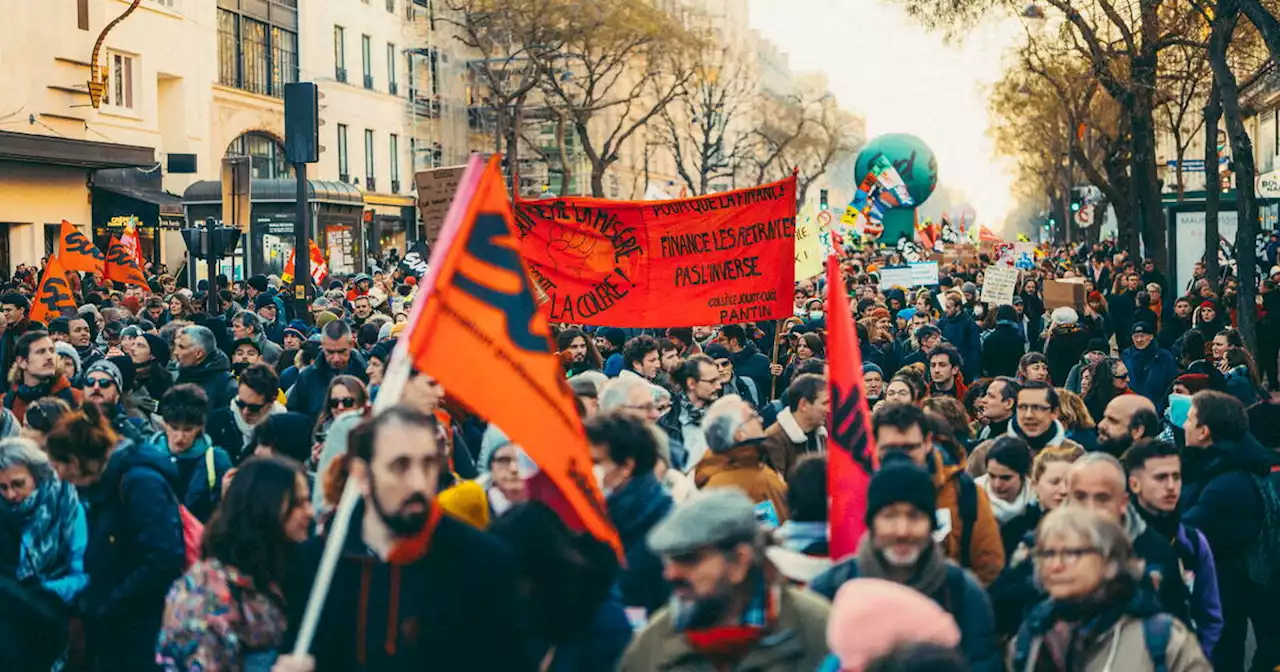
[720, 259]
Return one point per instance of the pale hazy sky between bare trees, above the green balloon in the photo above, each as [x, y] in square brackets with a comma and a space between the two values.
[906, 80]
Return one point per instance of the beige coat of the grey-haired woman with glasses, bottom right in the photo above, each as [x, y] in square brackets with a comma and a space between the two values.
[1124, 650]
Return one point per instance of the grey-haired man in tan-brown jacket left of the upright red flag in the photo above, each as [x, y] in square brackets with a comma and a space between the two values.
[735, 458]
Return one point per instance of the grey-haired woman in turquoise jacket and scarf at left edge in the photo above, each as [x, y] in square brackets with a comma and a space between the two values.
[43, 540]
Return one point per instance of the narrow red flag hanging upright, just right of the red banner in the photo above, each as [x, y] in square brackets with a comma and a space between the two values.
[851, 446]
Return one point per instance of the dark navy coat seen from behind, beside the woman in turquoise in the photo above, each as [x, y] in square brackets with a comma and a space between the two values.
[135, 554]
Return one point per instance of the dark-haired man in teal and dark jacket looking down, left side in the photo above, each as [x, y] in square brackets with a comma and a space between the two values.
[202, 465]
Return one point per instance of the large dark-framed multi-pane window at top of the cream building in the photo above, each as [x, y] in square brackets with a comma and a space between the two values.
[259, 57]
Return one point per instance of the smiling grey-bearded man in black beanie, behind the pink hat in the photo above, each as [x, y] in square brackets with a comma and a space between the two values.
[900, 547]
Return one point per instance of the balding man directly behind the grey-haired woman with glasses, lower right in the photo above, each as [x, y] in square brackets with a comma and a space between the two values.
[1098, 483]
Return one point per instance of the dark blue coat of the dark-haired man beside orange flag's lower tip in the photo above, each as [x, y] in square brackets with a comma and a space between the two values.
[636, 509]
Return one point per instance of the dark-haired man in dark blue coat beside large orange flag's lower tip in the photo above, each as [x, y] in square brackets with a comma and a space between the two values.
[624, 452]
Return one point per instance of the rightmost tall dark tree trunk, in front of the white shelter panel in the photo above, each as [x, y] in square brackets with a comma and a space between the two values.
[1242, 156]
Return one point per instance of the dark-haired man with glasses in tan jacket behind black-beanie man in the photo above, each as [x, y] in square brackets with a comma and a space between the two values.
[966, 524]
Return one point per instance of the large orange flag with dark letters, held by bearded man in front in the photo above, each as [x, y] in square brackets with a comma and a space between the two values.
[478, 331]
